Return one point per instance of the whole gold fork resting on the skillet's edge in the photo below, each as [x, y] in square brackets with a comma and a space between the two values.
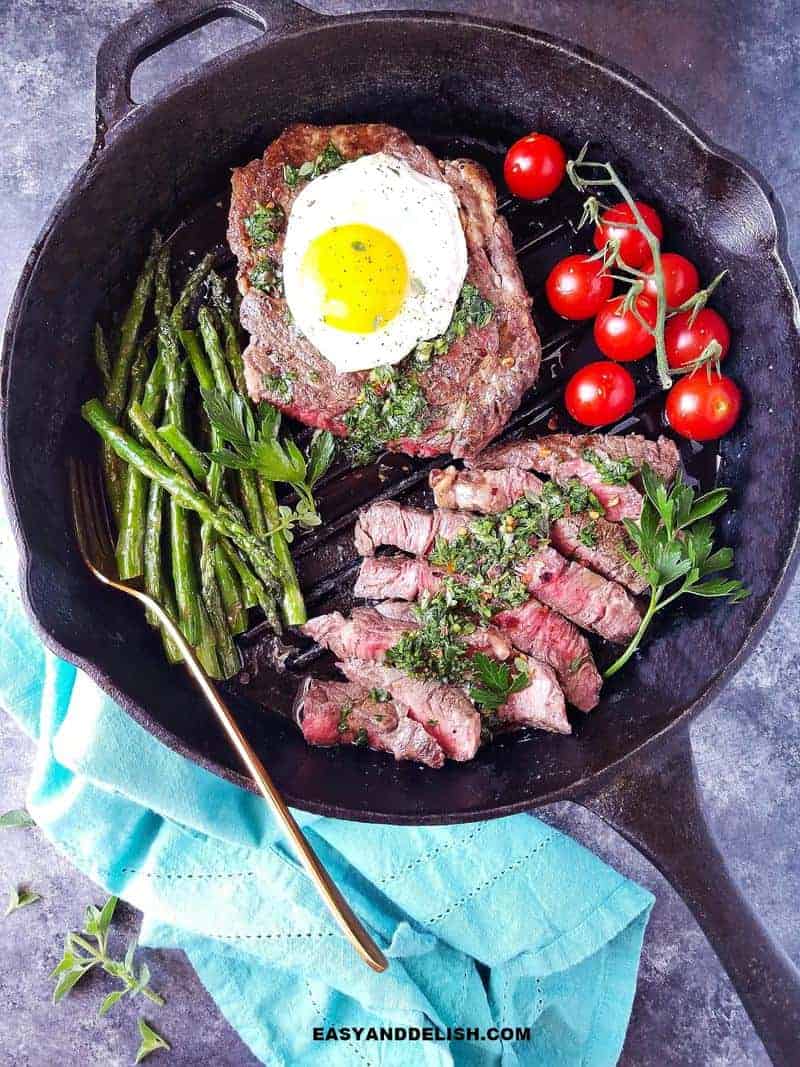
[97, 548]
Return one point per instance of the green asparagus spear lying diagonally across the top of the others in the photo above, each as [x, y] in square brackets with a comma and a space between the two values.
[185, 493]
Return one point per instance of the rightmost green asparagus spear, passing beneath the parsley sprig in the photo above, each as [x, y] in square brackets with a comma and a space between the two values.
[293, 606]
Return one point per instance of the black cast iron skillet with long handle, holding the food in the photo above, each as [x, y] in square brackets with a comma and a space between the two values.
[460, 85]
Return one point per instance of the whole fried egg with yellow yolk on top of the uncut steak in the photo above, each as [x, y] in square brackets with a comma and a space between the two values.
[375, 260]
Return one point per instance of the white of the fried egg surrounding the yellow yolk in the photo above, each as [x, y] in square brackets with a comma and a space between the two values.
[421, 215]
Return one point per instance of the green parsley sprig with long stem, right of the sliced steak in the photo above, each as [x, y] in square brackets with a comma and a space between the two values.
[675, 540]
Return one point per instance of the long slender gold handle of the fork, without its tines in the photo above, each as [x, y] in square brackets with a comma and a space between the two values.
[342, 912]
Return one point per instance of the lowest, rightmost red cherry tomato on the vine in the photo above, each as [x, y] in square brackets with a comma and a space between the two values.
[705, 406]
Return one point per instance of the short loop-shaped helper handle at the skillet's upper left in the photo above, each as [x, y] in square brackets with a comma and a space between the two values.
[158, 25]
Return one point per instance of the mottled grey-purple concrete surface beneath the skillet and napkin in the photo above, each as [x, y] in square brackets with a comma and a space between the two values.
[733, 67]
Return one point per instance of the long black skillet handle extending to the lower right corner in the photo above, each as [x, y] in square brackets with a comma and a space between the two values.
[659, 809]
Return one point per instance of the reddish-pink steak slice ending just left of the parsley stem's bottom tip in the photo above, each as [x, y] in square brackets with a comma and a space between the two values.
[547, 635]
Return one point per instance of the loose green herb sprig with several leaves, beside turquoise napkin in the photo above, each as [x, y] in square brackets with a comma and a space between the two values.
[90, 949]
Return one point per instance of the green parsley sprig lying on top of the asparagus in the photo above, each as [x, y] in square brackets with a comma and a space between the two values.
[260, 449]
